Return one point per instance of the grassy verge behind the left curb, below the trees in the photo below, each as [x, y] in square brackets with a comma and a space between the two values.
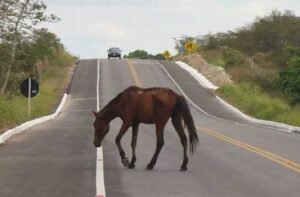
[55, 81]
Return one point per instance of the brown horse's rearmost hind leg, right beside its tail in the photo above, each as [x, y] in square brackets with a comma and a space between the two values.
[176, 120]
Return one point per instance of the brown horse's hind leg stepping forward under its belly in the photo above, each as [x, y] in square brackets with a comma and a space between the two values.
[159, 144]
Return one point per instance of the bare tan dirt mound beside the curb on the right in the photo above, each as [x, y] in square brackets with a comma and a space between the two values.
[214, 74]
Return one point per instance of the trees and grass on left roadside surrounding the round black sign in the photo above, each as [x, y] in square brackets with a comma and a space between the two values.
[28, 51]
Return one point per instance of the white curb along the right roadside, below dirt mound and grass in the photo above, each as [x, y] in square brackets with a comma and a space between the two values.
[203, 81]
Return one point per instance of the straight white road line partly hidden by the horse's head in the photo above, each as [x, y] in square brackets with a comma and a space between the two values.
[100, 188]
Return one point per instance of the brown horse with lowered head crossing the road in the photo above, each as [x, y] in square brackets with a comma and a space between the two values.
[136, 105]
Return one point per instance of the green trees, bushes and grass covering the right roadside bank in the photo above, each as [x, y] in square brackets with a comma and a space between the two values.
[263, 59]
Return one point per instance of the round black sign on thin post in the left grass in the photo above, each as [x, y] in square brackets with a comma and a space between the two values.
[29, 88]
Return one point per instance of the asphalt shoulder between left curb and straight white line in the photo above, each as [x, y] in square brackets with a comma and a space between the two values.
[56, 158]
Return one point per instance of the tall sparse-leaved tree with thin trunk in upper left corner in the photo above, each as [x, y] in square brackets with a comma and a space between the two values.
[18, 18]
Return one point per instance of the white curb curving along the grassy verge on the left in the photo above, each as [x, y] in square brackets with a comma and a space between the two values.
[21, 128]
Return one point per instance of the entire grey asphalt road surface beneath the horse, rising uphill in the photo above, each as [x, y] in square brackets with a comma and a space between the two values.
[57, 158]
